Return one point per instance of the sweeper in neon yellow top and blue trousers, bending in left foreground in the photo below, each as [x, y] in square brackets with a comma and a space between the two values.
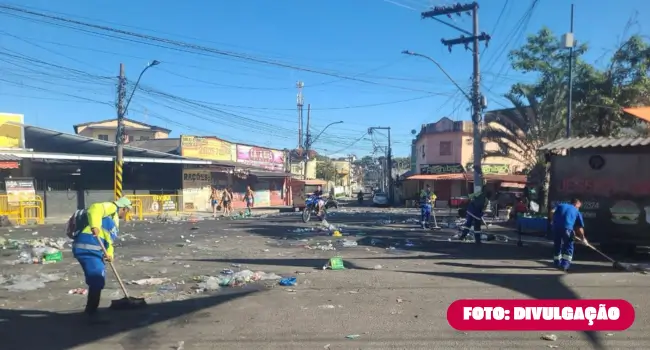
[91, 257]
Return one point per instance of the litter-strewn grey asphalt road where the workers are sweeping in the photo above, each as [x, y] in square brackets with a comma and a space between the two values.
[390, 298]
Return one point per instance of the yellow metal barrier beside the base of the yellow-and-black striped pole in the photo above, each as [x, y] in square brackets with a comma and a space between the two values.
[155, 205]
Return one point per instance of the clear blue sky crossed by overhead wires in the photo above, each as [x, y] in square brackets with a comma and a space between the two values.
[357, 43]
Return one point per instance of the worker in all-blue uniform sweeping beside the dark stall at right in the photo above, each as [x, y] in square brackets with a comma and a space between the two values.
[567, 224]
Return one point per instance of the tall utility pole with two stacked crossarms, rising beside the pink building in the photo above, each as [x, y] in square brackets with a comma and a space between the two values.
[476, 97]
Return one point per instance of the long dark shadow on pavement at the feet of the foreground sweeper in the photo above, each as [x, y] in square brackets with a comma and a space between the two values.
[36, 329]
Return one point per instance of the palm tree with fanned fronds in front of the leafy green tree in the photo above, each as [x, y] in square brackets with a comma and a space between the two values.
[520, 131]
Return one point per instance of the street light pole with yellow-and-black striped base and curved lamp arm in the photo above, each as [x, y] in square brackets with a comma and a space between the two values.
[122, 109]
